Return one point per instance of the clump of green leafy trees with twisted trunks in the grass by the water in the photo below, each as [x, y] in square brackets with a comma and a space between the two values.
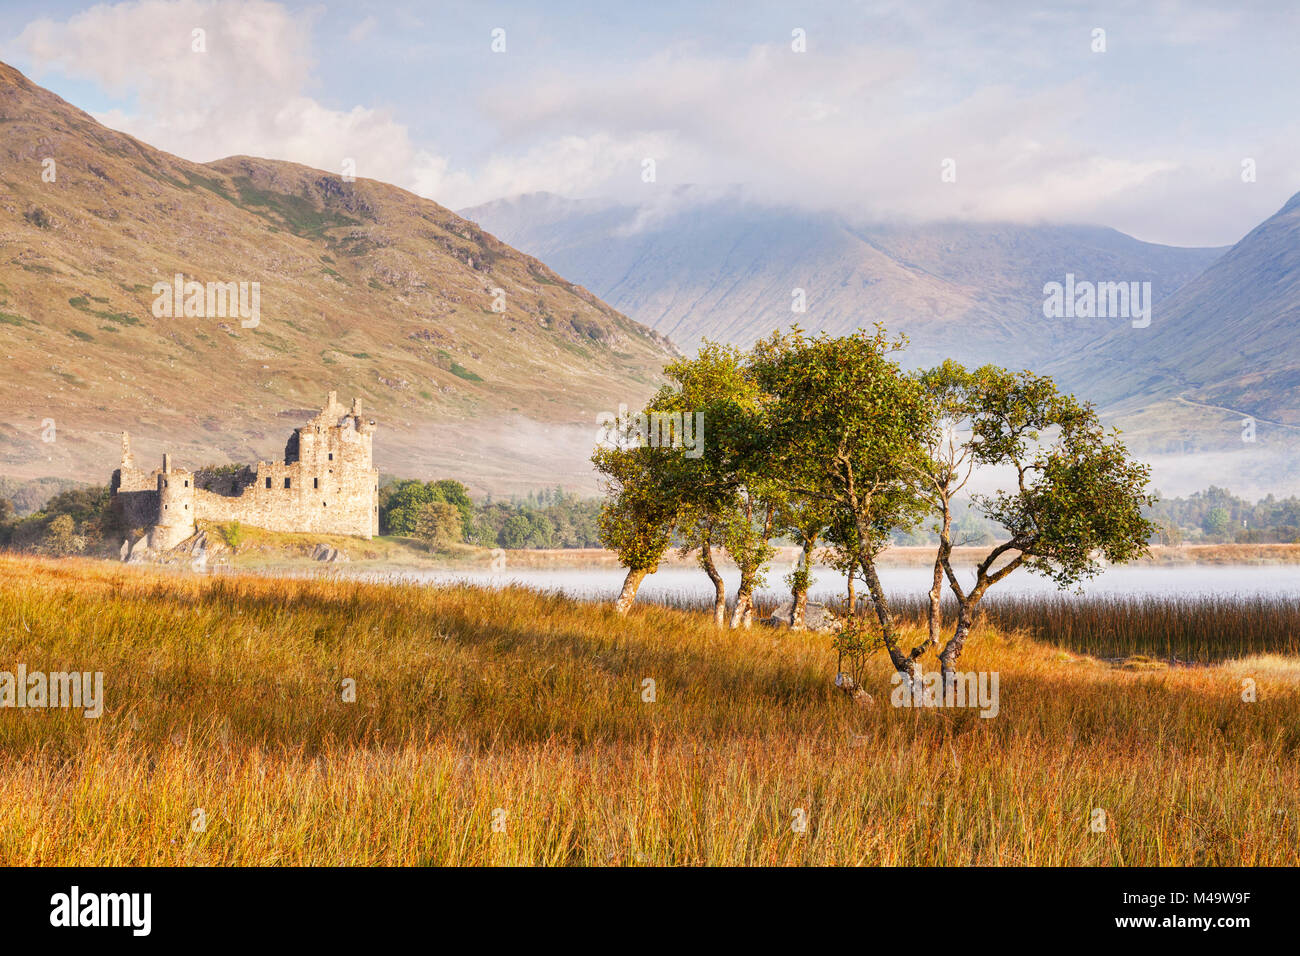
[826, 439]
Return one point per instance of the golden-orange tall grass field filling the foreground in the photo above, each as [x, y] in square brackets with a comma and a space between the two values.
[224, 694]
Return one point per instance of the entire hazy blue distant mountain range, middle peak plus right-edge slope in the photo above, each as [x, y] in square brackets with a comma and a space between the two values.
[1208, 393]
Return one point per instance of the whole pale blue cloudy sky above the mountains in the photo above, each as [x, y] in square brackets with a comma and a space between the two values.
[1178, 124]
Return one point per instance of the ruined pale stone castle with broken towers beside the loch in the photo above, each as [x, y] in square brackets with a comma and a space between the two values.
[327, 485]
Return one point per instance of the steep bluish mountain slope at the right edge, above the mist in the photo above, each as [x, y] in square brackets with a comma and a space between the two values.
[1212, 387]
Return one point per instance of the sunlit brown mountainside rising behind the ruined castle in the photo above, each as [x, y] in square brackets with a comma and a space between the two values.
[365, 289]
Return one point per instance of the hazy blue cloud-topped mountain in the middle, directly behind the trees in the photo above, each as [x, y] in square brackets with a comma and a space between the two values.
[725, 269]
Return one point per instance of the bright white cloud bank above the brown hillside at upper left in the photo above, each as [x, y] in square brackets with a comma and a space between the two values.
[246, 97]
